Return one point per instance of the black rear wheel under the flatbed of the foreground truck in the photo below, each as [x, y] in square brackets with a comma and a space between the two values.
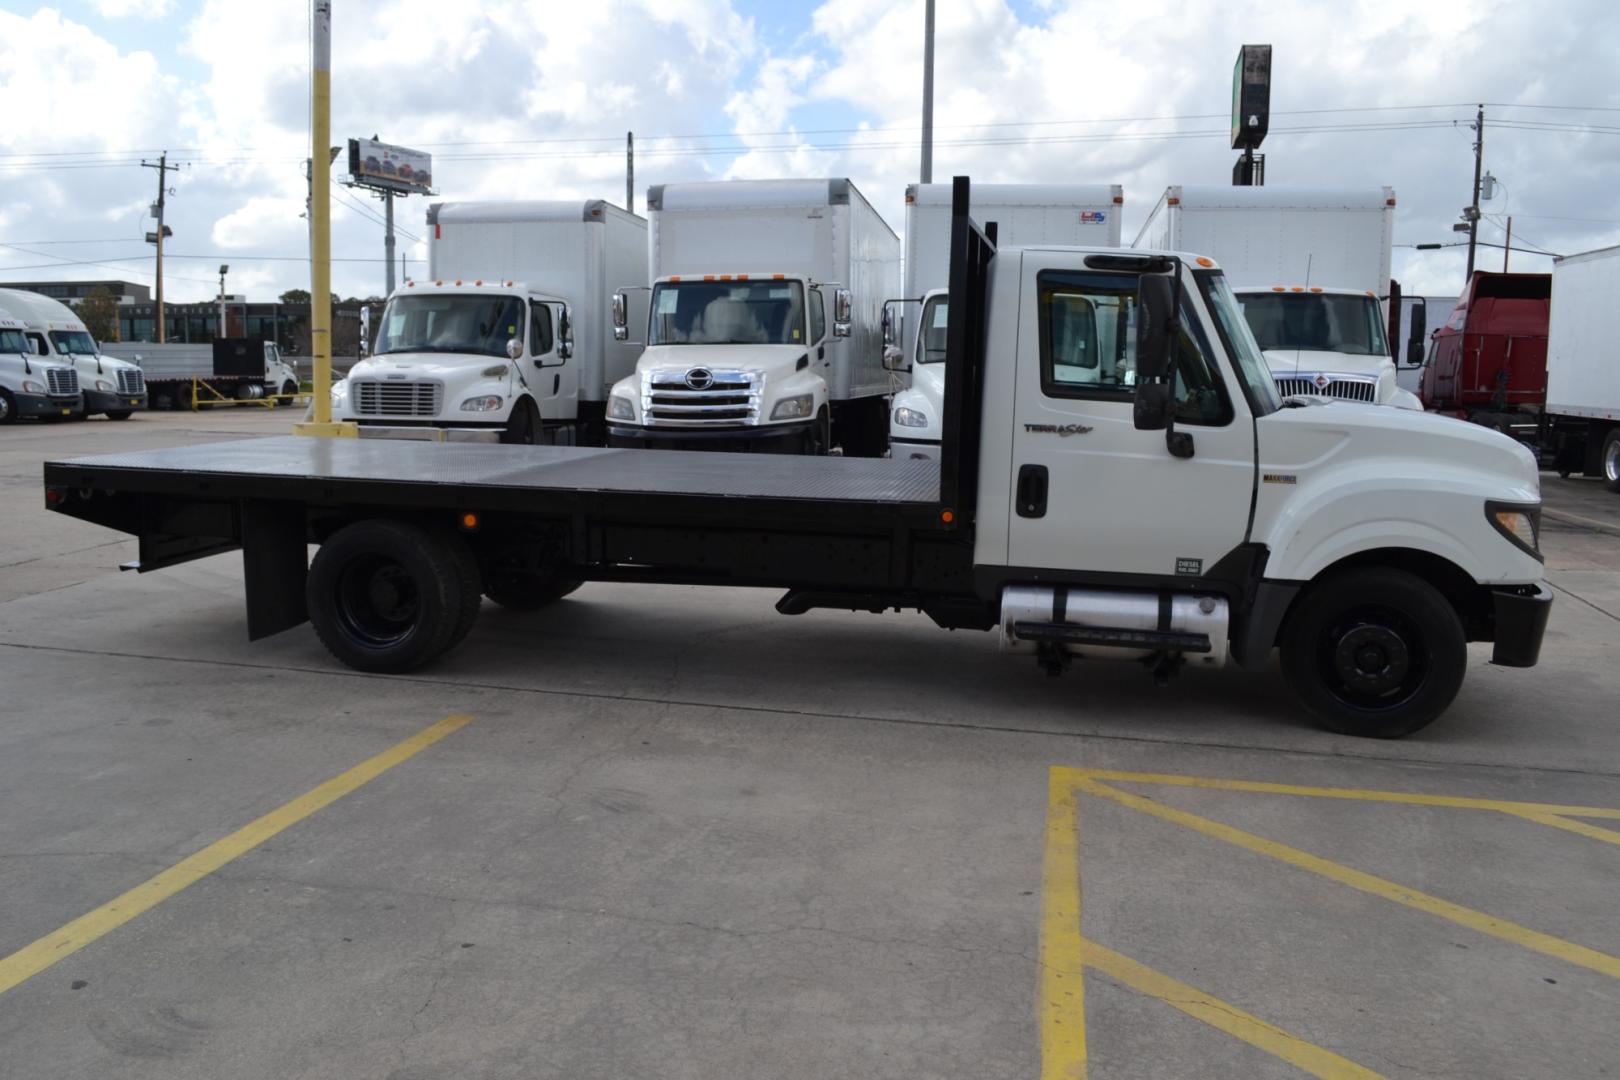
[388, 597]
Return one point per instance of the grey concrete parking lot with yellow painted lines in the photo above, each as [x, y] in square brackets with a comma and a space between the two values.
[670, 833]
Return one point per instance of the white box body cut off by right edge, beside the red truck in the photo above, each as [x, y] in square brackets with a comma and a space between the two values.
[1584, 367]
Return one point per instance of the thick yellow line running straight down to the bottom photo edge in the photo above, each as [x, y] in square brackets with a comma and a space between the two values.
[1062, 1005]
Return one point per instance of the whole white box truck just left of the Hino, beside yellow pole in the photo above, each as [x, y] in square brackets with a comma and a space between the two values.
[508, 339]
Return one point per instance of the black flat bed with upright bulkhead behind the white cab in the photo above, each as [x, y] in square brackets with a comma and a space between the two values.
[856, 534]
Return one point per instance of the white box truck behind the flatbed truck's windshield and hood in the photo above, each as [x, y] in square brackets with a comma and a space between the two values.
[1310, 266]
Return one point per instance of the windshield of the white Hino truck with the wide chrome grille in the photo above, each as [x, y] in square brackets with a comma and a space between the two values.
[728, 313]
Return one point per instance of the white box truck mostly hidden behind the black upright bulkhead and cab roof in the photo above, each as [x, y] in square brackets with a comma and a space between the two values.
[1073, 216]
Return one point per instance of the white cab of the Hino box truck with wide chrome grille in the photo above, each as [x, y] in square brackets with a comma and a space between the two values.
[733, 362]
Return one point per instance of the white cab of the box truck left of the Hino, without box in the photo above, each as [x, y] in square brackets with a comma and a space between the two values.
[466, 362]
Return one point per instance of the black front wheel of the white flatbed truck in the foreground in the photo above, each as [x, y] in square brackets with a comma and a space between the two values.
[1375, 653]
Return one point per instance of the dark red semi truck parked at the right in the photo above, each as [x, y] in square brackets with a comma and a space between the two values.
[1488, 364]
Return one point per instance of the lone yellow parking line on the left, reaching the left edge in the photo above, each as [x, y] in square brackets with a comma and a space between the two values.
[33, 959]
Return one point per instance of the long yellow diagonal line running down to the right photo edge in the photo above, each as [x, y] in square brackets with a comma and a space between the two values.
[1368, 883]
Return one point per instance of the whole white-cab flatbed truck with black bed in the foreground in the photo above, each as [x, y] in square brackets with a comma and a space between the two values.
[1180, 516]
